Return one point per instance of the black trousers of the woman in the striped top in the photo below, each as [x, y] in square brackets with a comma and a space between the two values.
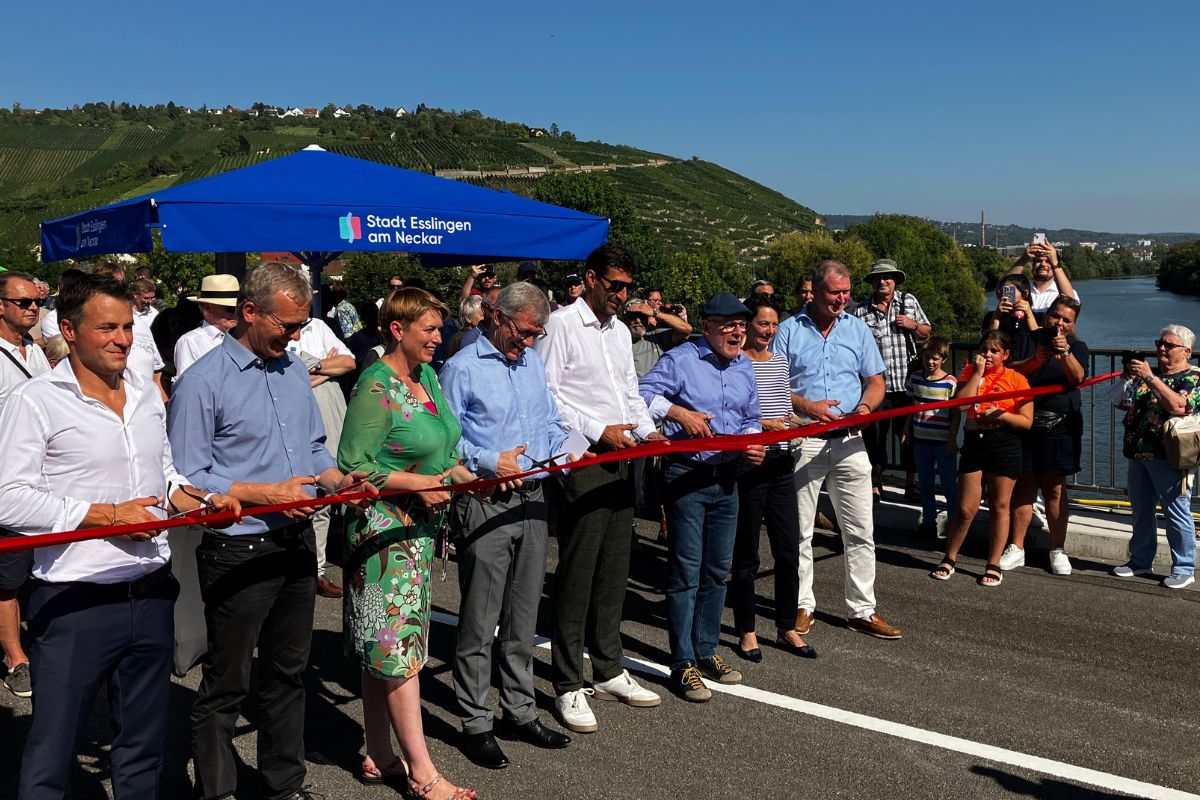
[767, 492]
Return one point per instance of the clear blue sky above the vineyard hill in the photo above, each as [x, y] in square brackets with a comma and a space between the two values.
[1051, 115]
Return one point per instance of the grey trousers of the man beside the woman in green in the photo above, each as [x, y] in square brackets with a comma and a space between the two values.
[502, 568]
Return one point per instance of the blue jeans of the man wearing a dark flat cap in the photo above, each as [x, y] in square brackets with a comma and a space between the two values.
[703, 520]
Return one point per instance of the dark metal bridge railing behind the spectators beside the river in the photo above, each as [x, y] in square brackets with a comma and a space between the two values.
[1103, 467]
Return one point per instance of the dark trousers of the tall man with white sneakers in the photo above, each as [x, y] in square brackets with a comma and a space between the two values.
[595, 543]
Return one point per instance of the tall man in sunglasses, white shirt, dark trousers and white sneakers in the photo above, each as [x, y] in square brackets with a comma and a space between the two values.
[590, 369]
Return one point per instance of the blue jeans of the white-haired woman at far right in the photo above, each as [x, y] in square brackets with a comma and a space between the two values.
[1151, 482]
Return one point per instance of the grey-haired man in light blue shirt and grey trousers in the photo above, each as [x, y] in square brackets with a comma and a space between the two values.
[497, 389]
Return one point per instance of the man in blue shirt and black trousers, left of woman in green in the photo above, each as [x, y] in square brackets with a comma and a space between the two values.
[244, 422]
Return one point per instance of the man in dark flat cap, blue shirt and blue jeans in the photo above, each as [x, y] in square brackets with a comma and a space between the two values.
[700, 390]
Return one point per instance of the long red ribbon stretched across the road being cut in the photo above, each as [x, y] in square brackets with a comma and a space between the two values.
[724, 443]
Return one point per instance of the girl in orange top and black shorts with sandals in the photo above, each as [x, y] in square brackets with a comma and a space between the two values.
[992, 448]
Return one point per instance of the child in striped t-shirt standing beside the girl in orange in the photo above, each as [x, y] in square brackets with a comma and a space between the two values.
[934, 434]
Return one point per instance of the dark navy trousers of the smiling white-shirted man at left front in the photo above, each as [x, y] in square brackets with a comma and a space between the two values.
[85, 635]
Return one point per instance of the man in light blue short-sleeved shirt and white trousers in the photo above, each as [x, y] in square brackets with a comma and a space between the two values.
[836, 371]
